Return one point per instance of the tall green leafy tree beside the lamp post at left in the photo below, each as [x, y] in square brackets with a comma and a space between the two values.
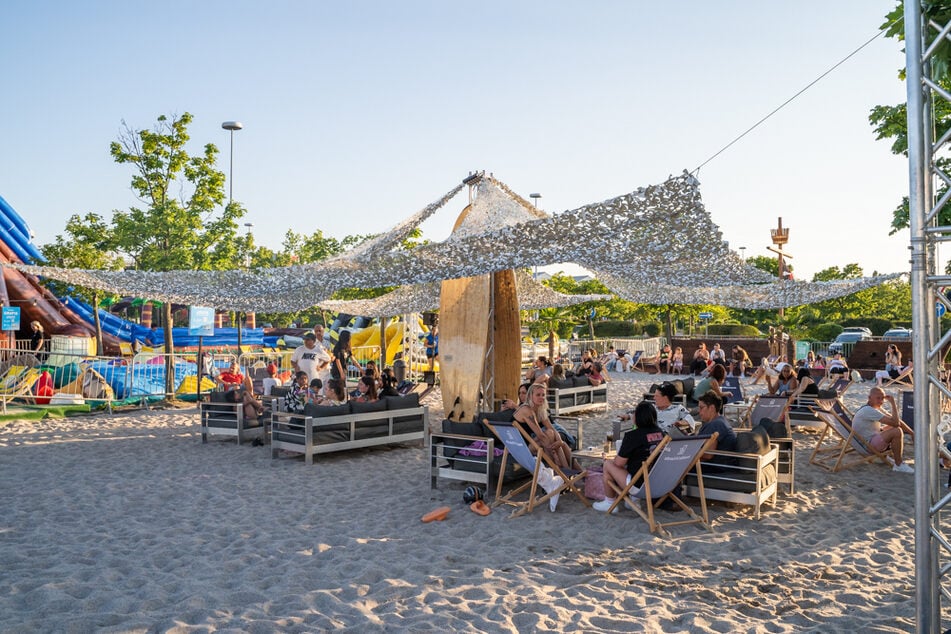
[177, 228]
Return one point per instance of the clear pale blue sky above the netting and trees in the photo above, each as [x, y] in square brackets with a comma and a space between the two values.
[358, 114]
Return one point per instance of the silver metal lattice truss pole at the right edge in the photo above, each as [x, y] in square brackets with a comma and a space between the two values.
[928, 345]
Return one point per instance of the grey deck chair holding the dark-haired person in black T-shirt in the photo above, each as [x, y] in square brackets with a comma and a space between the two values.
[662, 473]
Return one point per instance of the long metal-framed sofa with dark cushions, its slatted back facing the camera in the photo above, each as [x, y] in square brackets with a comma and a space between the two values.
[323, 429]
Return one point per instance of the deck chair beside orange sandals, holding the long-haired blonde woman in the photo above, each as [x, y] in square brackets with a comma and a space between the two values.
[518, 444]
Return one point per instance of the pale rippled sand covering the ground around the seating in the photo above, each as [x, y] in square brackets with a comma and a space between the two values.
[128, 523]
